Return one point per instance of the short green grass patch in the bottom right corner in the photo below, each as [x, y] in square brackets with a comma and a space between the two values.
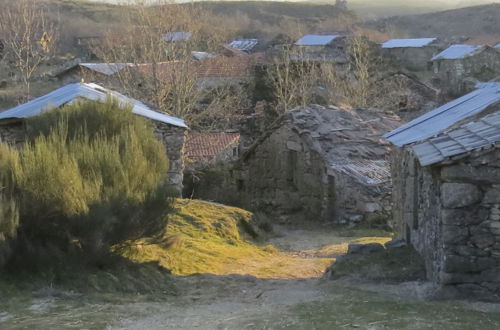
[350, 308]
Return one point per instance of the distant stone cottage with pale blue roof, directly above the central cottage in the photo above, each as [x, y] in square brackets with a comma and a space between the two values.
[319, 47]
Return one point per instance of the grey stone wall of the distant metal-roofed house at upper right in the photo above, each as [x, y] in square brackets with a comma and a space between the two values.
[483, 66]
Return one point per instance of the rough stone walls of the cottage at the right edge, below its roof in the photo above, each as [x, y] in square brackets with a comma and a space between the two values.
[451, 215]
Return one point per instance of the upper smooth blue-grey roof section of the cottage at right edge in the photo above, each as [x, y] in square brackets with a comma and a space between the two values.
[437, 120]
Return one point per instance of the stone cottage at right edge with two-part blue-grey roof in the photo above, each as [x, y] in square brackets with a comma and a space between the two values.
[446, 191]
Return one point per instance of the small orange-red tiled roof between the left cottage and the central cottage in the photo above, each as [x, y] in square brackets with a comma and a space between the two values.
[206, 146]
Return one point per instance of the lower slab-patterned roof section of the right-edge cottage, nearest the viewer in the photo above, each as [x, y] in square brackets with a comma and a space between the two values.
[479, 134]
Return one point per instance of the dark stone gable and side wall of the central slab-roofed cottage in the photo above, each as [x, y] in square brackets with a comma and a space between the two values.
[284, 175]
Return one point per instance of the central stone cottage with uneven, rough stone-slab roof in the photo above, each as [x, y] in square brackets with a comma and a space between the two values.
[319, 164]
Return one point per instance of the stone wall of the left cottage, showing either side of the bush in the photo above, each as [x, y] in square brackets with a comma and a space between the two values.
[14, 133]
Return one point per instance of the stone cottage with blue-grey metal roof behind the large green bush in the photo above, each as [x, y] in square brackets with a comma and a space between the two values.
[170, 130]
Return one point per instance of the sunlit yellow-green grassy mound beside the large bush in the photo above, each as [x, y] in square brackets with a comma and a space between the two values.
[203, 237]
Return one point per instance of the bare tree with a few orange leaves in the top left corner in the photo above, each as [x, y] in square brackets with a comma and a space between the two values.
[28, 36]
